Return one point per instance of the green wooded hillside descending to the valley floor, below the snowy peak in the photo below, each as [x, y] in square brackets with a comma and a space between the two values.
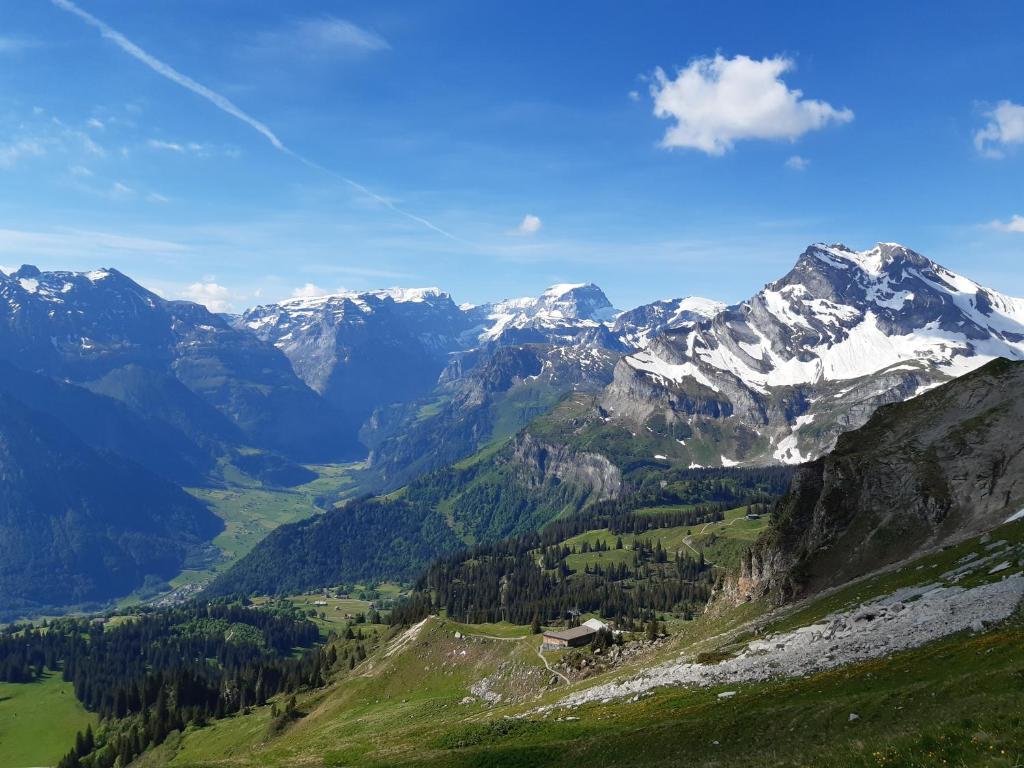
[510, 490]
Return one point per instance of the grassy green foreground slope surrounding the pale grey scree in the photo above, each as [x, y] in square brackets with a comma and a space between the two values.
[960, 700]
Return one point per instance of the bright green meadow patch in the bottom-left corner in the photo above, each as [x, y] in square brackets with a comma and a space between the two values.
[38, 721]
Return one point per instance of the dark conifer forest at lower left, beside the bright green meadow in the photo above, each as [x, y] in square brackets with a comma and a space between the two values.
[164, 670]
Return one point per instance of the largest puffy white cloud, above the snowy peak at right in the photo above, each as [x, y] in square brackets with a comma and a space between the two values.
[718, 102]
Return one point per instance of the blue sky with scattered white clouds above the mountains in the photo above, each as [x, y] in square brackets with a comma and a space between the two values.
[238, 153]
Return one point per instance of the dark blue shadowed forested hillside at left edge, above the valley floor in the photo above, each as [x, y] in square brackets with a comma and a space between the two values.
[80, 527]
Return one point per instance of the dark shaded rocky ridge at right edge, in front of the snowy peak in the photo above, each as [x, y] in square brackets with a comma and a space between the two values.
[920, 475]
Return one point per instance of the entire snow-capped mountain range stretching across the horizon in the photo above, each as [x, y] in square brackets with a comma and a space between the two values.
[569, 400]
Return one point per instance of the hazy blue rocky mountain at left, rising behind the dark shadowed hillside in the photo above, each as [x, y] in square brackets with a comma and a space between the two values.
[97, 326]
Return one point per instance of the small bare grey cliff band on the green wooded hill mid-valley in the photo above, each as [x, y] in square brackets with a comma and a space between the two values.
[540, 462]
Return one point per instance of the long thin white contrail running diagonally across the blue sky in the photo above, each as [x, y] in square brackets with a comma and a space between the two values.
[226, 105]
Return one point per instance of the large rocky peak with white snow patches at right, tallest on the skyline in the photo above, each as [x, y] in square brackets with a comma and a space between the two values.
[779, 378]
